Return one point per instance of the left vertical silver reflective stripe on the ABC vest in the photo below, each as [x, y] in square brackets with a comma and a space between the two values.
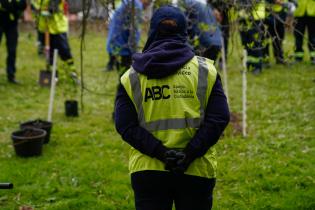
[137, 95]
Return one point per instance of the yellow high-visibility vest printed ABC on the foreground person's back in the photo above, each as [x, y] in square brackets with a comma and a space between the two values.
[172, 109]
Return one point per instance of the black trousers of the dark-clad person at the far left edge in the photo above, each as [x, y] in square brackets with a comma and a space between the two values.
[11, 34]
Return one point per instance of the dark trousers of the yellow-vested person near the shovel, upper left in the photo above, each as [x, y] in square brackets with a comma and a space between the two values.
[60, 42]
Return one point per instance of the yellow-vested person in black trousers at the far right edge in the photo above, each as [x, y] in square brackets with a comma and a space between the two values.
[305, 18]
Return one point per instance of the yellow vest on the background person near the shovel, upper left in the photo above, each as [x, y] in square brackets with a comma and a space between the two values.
[55, 23]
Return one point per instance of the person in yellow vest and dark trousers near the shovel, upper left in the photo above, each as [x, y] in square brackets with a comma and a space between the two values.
[51, 19]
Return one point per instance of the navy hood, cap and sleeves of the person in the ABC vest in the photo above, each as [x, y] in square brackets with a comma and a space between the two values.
[169, 52]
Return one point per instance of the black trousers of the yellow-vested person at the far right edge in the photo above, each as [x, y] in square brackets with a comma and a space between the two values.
[301, 24]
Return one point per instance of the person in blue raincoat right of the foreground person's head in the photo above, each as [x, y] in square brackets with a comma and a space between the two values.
[203, 29]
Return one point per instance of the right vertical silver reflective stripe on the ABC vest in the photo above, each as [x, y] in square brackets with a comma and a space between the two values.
[202, 84]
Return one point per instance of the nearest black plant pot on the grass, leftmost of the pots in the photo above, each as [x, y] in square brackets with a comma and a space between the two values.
[28, 142]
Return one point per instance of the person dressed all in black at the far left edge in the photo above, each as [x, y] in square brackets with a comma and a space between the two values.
[10, 12]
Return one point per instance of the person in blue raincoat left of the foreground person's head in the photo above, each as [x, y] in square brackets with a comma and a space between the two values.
[119, 46]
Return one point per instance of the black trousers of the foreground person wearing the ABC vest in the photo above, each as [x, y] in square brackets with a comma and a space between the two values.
[158, 190]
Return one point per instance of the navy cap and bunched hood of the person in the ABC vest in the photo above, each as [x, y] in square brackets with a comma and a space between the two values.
[166, 49]
